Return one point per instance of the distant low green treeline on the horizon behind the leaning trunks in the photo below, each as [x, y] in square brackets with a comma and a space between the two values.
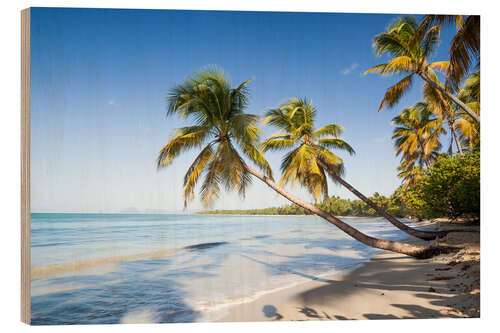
[333, 205]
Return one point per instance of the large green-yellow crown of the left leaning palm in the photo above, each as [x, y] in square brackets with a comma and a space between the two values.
[218, 112]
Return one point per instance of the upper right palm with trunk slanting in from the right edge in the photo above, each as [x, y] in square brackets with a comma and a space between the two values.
[410, 52]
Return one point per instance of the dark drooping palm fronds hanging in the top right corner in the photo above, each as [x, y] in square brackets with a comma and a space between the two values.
[465, 45]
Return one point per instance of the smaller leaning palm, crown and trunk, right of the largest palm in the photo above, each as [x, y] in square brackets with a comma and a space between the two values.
[310, 157]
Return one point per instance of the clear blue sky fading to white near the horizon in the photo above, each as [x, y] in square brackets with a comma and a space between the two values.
[99, 80]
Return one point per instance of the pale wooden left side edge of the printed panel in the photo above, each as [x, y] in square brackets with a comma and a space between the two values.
[25, 168]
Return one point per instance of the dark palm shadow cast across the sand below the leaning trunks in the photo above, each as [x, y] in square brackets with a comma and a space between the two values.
[393, 275]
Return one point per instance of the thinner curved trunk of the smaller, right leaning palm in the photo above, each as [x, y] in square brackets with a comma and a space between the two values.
[426, 235]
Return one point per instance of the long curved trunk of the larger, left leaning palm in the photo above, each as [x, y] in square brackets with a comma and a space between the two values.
[416, 251]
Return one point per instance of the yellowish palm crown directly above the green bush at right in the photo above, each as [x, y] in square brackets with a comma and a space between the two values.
[416, 135]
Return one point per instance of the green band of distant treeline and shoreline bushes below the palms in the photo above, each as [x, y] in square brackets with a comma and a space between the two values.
[449, 188]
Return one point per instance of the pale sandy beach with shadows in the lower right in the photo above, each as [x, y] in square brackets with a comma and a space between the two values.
[389, 286]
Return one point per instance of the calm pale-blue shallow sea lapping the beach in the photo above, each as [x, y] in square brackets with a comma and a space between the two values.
[130, 268]
